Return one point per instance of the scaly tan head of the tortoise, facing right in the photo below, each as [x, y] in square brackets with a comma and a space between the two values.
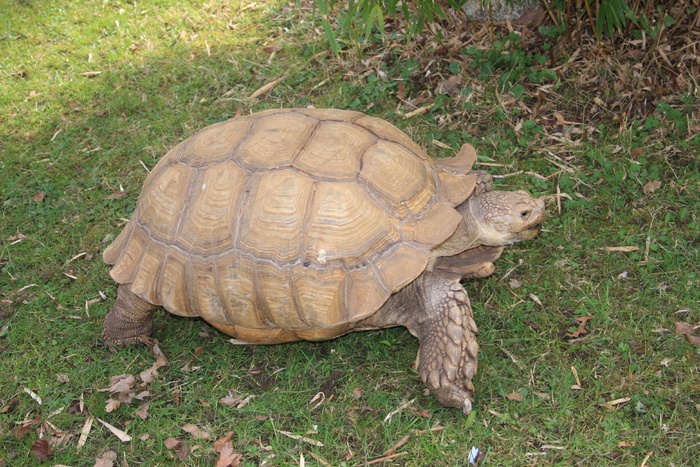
[506, 217]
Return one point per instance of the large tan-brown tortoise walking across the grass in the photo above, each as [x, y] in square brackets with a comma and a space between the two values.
[294, 224]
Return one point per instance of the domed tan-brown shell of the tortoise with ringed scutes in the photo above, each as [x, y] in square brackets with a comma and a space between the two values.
[288, 224]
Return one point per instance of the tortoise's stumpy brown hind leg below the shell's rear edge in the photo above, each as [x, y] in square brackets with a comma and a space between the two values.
[130, 321]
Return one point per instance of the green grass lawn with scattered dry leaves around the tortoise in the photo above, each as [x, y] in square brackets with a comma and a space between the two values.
[90, 89]
